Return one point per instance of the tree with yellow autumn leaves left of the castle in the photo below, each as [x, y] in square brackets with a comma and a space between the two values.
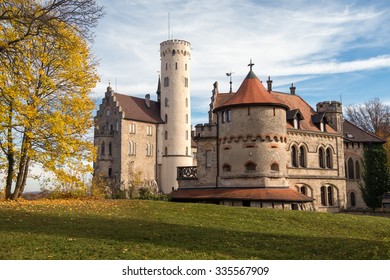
[45, 107]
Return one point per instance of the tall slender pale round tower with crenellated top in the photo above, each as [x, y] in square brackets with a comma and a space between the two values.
[175, 147]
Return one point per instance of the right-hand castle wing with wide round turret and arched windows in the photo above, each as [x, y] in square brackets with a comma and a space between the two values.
[268, 140]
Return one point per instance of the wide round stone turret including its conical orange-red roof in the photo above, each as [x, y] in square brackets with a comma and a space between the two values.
[252, 136]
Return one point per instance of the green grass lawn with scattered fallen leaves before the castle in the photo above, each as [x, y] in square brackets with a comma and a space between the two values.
[131, 229]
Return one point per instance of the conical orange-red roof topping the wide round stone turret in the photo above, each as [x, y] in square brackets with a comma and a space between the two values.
[252, 92]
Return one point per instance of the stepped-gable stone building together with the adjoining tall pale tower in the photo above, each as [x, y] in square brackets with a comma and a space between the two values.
[144, 141]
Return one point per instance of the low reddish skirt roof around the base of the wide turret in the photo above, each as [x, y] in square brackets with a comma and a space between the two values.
[258, 194]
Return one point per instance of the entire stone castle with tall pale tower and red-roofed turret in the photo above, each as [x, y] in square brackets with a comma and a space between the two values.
[260, 148]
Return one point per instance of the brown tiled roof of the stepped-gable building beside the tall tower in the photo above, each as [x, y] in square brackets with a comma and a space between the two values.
[135, 109]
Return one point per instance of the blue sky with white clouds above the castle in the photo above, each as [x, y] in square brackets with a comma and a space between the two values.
[327, 49]
